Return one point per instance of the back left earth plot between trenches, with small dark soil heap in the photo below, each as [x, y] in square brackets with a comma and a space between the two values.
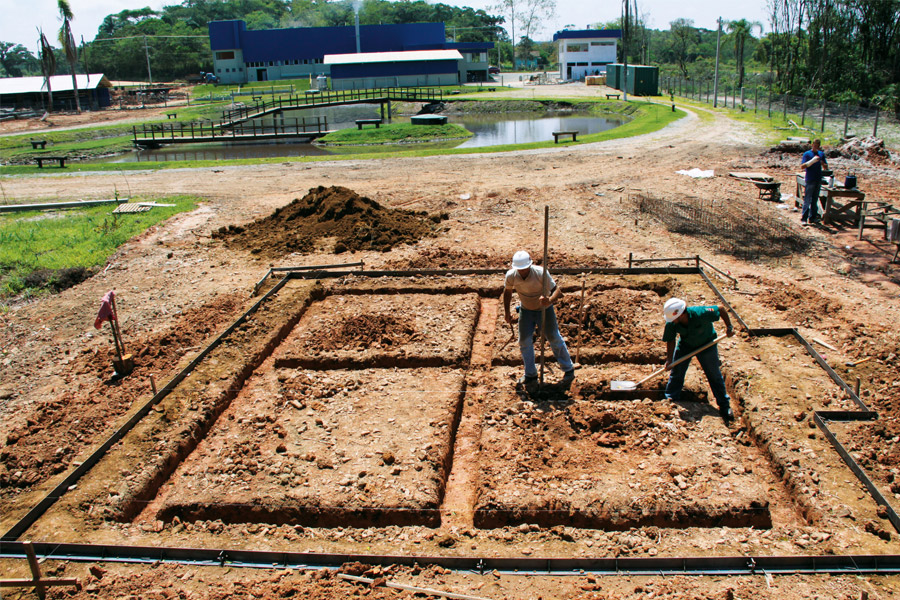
[408, 330]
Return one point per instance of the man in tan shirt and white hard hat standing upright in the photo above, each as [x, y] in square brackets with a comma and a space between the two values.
[527, 280]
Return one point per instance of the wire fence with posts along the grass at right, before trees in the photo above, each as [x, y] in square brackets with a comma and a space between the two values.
[811, 117]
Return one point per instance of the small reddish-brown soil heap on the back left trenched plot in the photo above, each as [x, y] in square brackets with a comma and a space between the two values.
[367, 331]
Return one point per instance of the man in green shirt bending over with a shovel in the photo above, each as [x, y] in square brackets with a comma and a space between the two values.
[693, 326]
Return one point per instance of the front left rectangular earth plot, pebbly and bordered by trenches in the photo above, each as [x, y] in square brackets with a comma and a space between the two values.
[325, 448]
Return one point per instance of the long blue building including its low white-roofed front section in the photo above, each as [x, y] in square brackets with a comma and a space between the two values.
[384, 52]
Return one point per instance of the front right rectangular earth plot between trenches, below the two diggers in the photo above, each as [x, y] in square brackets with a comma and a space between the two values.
[612, 464]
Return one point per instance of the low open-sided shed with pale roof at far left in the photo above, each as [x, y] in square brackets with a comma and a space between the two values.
[31, 92]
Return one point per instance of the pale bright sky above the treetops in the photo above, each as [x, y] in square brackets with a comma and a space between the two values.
[21, 18]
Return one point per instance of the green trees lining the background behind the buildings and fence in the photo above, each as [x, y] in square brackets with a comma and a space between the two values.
[843, 50]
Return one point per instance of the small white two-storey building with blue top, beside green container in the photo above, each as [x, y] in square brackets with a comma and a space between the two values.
[586, 51]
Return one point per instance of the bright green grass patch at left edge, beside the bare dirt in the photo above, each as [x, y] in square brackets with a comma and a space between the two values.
[53, 240]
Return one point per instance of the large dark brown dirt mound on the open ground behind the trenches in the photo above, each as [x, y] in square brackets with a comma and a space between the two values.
[326, 216]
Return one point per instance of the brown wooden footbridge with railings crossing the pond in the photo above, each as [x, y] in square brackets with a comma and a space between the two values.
[240, 125]
